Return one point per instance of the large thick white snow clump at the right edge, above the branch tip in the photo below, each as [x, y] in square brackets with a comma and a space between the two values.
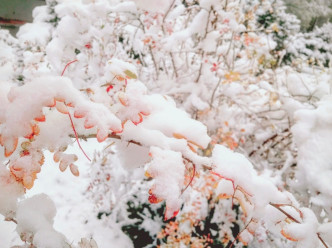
[312, 133]
